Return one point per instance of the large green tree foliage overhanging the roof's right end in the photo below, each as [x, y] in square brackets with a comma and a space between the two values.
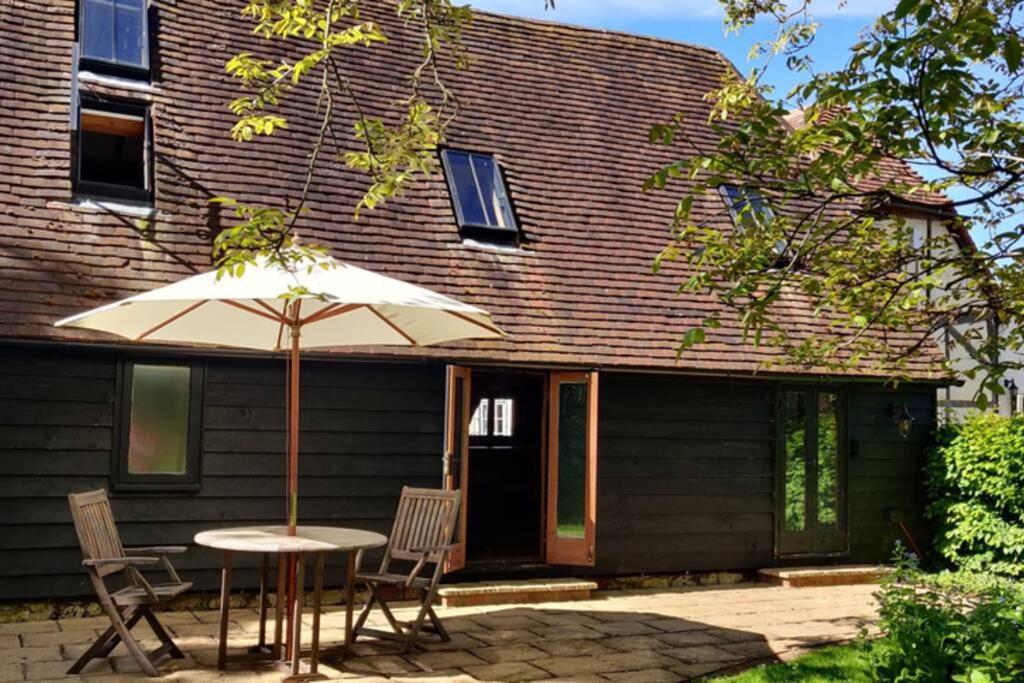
[934, 83]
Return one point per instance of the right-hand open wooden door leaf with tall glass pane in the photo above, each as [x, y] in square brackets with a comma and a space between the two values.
[572, 505]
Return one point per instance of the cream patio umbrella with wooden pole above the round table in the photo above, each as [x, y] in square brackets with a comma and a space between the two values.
[270, 308]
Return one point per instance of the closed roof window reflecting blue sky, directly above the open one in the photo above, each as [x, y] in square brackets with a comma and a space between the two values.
[114, 36]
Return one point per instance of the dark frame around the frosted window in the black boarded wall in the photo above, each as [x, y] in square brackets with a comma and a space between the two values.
[121, 479]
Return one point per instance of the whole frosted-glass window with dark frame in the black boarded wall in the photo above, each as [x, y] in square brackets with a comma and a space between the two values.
[160, 426]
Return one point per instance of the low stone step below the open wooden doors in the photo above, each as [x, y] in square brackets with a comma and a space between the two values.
[508, 592]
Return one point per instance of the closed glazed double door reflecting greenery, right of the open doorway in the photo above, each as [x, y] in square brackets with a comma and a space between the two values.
[812, 473]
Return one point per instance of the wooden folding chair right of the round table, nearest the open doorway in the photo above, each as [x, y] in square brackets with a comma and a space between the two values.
[424, 529]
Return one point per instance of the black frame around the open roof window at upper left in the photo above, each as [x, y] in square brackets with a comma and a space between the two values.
[107, 191]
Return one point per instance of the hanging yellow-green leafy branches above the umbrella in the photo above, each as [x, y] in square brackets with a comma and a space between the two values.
[393, 148]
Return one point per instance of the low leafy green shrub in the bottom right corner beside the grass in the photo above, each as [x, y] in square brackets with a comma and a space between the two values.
[953, 627]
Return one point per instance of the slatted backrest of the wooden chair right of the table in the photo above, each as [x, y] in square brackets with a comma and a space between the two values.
[426, 519]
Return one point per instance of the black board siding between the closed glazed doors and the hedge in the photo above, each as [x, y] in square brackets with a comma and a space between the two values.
[886, 475]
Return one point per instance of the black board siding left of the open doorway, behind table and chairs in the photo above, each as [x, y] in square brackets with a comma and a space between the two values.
[367, 431]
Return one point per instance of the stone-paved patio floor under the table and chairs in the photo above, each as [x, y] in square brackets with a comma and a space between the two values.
[635, 636]
